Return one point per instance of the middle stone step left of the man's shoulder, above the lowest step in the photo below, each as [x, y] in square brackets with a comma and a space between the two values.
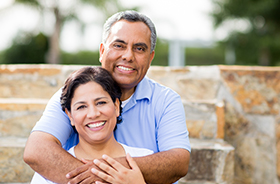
[18, 116]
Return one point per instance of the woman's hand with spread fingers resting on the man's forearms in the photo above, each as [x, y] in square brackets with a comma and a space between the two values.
[117, 173]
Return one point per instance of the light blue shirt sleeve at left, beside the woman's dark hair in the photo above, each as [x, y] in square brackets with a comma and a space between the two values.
[54, 120]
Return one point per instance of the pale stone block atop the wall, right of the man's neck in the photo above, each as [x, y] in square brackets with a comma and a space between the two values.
[191, 83]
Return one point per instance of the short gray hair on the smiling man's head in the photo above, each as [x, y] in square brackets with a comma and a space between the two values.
[131, 16]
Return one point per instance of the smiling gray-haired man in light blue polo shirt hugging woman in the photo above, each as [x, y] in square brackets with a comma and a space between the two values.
[153, 115]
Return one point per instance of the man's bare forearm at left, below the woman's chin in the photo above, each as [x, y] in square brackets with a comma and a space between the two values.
[44, 154]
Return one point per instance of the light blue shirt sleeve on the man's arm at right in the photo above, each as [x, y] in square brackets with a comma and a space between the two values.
[172, 130]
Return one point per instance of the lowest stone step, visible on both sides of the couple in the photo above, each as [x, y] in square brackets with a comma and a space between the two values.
[212, 161]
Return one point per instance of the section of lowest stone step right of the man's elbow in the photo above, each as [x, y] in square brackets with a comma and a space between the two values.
[212, 161]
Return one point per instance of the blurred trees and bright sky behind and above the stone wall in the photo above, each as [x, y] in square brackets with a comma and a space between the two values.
[202, 32]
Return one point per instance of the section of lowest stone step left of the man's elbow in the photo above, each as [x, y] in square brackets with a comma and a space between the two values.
[12, 167]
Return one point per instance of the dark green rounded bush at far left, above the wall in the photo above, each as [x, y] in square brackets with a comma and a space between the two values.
[26, 49]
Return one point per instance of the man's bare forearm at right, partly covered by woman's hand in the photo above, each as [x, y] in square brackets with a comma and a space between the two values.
[162, 167]
